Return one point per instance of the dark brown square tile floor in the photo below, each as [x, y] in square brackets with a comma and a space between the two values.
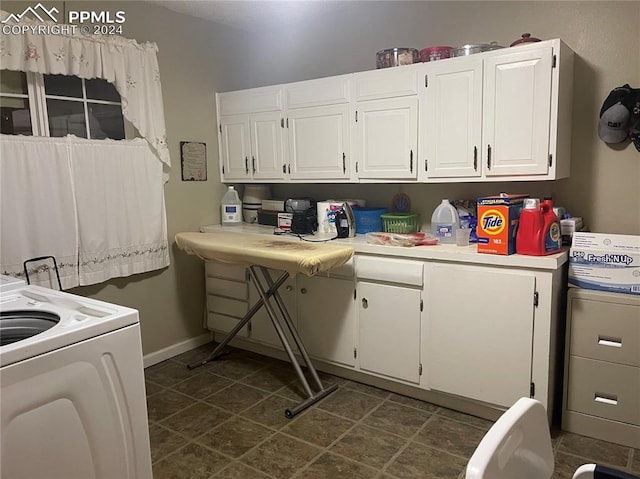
[226, 420]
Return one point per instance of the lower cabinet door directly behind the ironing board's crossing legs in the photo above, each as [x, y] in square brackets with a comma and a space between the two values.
[262, 328]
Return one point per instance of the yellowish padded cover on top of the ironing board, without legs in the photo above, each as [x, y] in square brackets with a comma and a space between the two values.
[285, 255]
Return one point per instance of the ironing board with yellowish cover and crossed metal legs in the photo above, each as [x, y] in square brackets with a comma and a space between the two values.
[260, 253]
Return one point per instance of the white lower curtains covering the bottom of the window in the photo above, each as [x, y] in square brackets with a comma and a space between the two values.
[97, 206]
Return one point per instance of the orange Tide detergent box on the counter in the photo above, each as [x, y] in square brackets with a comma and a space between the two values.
[498, 218]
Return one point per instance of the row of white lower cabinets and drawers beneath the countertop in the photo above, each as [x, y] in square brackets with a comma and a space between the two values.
[483, 333]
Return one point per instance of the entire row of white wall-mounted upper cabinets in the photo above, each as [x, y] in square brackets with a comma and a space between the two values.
[503, 115]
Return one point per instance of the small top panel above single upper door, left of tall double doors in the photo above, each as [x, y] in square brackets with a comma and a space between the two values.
[390, 83]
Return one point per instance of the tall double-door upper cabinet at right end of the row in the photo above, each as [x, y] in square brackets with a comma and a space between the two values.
[503, 115]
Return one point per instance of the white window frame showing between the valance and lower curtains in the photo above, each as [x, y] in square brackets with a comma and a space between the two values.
[37, 98]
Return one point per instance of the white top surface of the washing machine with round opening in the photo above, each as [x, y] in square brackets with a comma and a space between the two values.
[80, 319]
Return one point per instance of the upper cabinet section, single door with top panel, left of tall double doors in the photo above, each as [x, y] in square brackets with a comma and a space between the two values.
[385, 138]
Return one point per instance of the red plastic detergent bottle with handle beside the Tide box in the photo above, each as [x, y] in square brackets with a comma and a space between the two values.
[538, 229]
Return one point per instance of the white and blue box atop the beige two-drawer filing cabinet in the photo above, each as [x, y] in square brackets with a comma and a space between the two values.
[605, 262]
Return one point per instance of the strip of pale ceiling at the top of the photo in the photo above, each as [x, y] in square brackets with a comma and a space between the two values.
[247, 14]
